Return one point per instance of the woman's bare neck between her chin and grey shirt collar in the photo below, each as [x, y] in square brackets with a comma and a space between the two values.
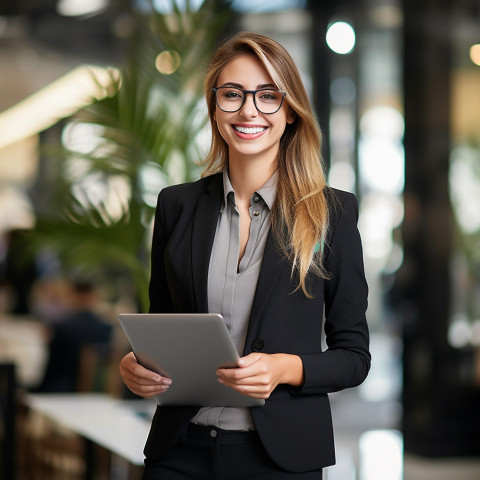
[247, 177]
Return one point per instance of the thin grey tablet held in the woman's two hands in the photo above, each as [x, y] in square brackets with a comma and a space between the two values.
[188, 348]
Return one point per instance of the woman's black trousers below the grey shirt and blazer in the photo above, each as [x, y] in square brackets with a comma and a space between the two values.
[209, 453]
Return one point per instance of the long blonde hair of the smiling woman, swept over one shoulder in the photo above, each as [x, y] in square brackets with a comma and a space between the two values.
[300, 212]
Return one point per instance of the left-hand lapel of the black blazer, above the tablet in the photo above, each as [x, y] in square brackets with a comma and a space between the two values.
[204, 227]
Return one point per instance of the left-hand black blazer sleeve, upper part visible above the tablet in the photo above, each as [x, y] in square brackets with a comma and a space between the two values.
[160, 299]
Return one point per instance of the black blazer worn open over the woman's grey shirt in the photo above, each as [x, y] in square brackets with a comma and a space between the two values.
[295, 424]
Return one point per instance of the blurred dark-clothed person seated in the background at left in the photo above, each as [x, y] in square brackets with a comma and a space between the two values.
[69, 334]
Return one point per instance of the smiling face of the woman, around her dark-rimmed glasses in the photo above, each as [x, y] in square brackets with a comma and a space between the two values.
[249, 133]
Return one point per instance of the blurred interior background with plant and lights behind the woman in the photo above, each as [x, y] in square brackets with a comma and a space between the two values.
[101, 107]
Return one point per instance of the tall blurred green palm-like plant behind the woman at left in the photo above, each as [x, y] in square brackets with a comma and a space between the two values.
[146, 136]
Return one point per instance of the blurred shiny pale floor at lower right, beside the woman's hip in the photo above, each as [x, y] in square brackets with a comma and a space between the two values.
[370, 447]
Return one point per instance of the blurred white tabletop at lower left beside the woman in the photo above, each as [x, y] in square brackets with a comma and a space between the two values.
[120, 426]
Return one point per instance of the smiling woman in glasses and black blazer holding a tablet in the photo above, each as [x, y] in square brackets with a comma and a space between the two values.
[262, 240]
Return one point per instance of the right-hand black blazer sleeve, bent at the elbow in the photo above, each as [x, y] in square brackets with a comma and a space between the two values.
[346, 361]
